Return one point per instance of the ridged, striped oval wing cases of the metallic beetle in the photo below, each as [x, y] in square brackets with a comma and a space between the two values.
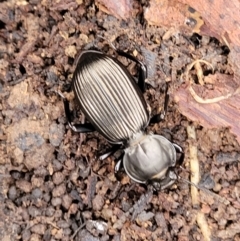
[109, 97]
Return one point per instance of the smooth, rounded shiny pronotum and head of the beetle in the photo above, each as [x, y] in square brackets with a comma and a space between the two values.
[151, 160]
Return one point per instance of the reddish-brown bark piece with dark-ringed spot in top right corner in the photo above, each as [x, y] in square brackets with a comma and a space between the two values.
[220, 19]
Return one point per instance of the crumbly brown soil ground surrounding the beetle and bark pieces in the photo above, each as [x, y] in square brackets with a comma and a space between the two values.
[53, 187]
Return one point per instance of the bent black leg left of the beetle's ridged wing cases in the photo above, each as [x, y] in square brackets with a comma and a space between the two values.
[81, 128]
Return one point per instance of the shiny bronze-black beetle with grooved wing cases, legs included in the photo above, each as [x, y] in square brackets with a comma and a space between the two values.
[113, 103]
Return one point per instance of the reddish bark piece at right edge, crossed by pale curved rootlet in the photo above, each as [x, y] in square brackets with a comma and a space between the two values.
[225, 113]
